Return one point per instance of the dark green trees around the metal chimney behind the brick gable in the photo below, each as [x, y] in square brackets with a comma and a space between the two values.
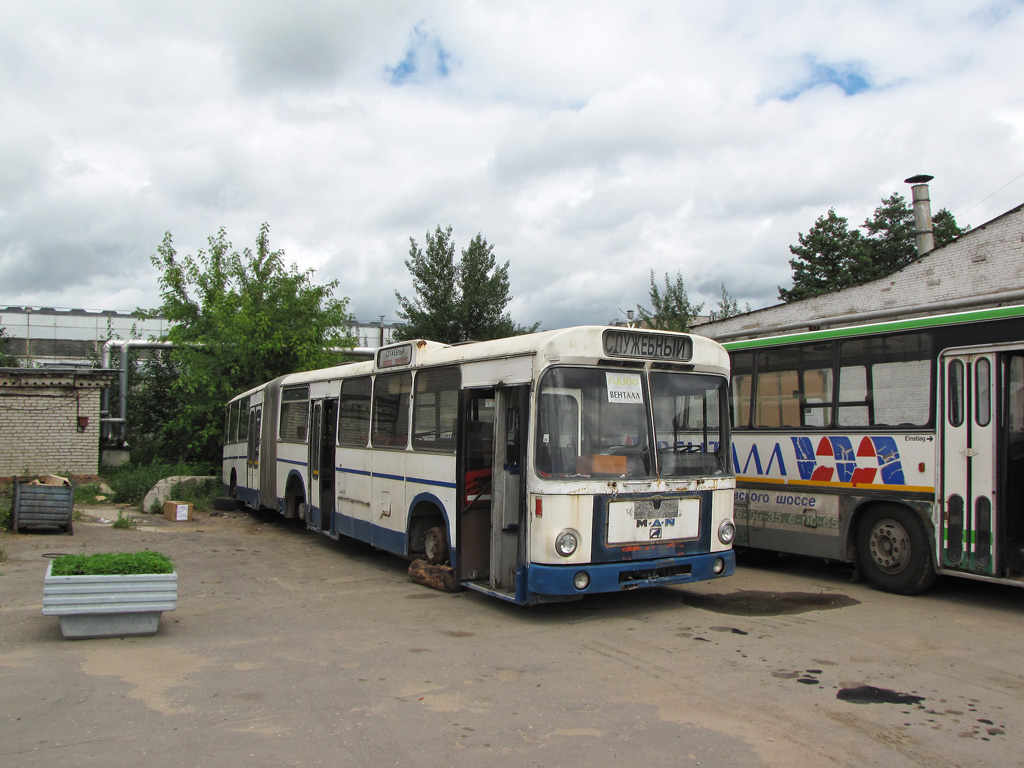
[832, 257]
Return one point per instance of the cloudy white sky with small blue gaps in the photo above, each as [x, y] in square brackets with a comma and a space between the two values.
[590, 142]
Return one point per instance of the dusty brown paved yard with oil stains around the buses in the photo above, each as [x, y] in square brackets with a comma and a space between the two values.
[290, 650]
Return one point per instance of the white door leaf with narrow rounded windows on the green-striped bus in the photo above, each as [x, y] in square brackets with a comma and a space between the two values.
[968, 448]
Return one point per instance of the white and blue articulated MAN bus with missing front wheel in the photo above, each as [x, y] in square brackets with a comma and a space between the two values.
[540, 467]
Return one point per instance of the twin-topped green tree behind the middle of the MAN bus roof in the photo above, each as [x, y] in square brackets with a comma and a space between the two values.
[456, 302]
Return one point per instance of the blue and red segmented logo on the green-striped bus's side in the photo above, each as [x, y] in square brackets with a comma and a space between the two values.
[875, 461]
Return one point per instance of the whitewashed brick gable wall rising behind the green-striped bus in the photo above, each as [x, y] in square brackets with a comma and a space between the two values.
[985, 268]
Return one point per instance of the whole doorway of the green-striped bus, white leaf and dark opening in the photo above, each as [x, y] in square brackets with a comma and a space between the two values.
[983, 458]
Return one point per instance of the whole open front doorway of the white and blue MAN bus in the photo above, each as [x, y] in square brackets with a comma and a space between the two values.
[492, 527]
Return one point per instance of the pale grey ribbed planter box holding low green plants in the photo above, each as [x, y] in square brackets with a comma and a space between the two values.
[109, 606]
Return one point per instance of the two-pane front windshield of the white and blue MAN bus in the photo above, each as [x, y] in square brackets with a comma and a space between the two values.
[595, 423]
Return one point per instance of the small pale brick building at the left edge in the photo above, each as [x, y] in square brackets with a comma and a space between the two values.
[50, 421]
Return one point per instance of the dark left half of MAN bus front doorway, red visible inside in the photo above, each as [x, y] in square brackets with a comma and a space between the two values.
[476, 476]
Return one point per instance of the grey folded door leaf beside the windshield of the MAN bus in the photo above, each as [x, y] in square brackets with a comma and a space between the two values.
[508, 503]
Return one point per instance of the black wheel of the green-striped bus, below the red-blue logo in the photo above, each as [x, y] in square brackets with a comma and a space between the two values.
[893, 550]
